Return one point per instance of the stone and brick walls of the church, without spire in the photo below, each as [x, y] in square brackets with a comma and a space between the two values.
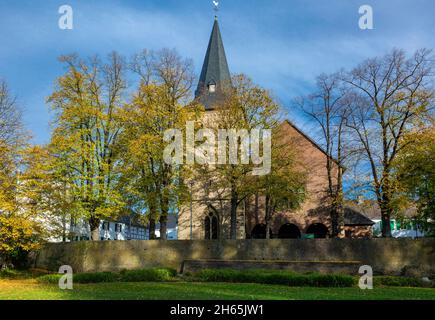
[309, 158]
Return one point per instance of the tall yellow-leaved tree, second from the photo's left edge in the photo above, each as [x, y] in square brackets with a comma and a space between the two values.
[86, 102]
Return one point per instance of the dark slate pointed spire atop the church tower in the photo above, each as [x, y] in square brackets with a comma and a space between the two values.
[215, 74]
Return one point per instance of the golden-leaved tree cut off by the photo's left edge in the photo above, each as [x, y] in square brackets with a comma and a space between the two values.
[18, 227]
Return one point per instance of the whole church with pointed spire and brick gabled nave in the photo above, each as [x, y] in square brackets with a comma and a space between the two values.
[209, 219]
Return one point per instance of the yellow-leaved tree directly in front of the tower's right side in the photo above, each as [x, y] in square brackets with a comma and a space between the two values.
[246, 107]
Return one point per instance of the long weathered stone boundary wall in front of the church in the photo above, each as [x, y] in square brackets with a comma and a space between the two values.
[386, 256]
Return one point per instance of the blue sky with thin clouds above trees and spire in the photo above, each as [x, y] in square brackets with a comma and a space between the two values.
[282, 44]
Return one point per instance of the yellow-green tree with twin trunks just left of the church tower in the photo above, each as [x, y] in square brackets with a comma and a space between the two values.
[161, 103]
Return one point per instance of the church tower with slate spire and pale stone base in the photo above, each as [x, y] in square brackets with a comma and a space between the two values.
[208, 216]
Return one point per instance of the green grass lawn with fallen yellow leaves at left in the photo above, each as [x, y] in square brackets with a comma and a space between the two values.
[31, 289]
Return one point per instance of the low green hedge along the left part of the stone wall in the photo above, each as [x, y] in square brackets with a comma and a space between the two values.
[157, 274]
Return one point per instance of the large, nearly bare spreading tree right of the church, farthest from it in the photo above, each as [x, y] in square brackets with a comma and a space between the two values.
[390, 95]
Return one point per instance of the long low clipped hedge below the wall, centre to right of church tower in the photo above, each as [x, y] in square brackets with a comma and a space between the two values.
[276, 277]
